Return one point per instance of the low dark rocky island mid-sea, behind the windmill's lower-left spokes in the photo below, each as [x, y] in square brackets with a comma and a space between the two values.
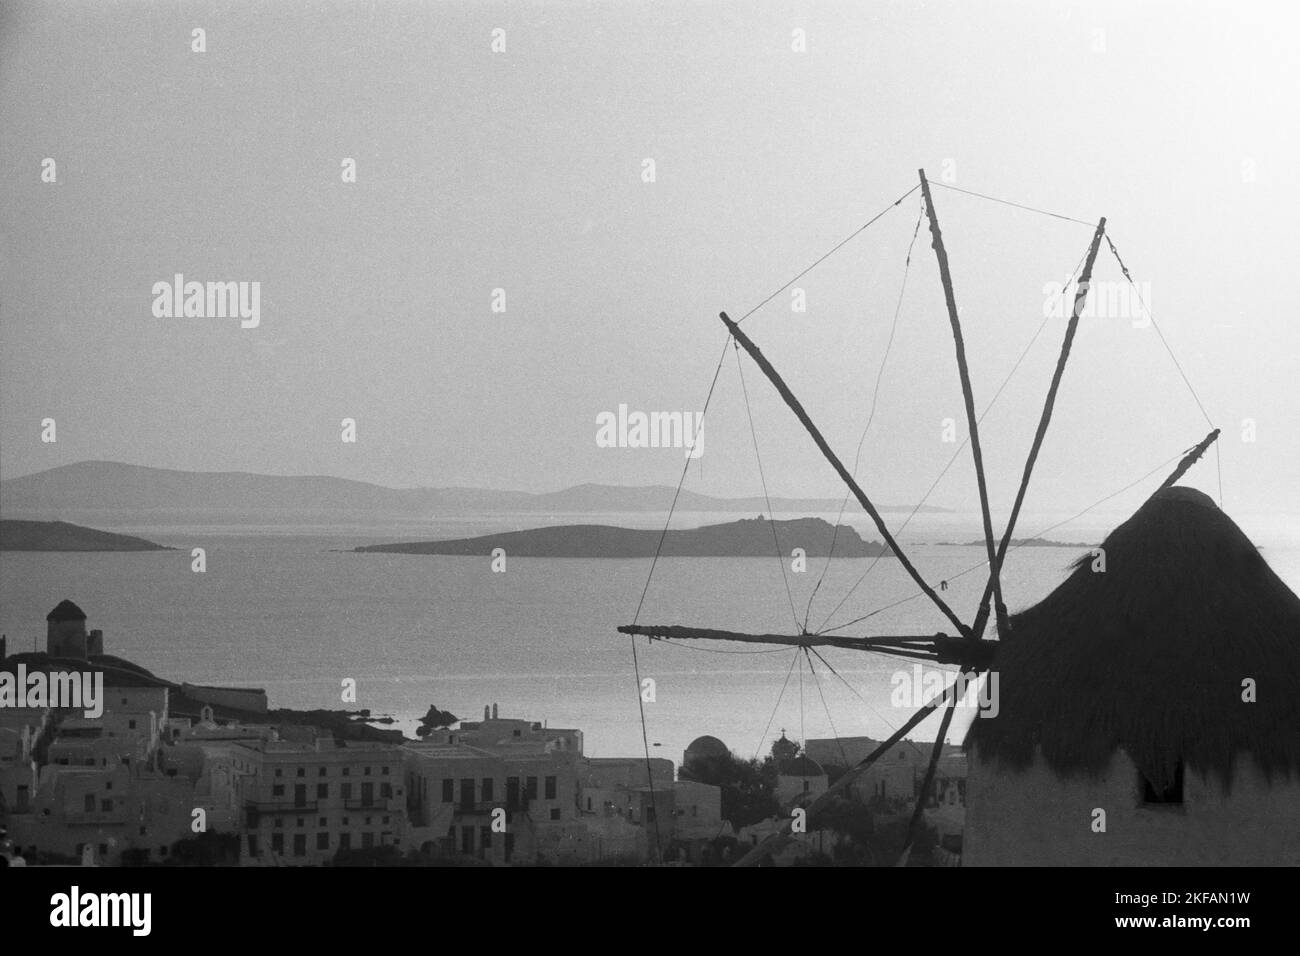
[749, 538]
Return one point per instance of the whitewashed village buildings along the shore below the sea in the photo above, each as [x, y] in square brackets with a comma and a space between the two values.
[174, 775]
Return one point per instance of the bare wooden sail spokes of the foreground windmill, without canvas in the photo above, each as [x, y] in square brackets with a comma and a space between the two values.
[968, 648]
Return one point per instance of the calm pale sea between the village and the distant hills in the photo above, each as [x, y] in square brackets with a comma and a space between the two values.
[294, 612]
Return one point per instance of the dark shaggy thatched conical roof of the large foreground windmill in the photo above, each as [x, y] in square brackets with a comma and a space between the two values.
[1152, 654]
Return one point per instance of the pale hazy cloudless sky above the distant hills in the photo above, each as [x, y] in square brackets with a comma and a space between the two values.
[523, 171]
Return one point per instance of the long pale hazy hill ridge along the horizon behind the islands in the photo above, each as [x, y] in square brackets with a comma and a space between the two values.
[114, 494]
